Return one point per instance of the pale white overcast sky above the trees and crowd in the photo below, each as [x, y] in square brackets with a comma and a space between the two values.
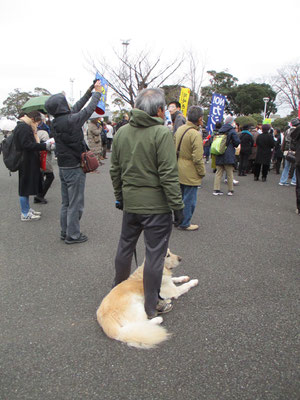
[43, 43]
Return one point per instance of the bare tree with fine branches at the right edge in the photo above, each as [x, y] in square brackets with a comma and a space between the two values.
[287, 85]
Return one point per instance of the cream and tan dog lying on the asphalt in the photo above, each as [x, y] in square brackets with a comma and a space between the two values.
[122, 315]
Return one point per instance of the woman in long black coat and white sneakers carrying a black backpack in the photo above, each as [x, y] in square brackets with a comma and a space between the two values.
[27, 141]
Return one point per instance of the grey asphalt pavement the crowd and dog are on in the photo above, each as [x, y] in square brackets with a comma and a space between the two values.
[234, 336]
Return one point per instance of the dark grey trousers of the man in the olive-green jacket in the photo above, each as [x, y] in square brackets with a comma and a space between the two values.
[157, 229]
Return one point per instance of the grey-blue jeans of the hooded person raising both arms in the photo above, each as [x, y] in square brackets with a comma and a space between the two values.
[72, 196]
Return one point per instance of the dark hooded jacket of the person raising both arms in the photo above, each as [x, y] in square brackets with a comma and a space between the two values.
[67, 126]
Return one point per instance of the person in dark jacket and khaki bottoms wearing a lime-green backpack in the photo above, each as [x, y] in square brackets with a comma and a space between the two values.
[226, 161]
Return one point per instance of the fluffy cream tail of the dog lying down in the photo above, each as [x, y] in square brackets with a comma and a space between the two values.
[144, 334]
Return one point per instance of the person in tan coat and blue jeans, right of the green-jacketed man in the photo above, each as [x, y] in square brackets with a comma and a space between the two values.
[191, 168]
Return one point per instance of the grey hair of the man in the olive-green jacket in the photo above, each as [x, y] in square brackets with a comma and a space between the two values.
[150, 100]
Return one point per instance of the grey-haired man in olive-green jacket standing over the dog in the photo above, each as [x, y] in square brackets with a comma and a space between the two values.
[146, 186]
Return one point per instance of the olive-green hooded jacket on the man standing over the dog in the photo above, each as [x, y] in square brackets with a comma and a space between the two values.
[144, 167]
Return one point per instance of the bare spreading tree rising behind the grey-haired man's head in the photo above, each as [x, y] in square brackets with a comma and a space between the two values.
[128, 75]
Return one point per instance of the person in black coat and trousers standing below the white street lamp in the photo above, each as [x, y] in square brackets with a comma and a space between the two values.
[265, 144]
